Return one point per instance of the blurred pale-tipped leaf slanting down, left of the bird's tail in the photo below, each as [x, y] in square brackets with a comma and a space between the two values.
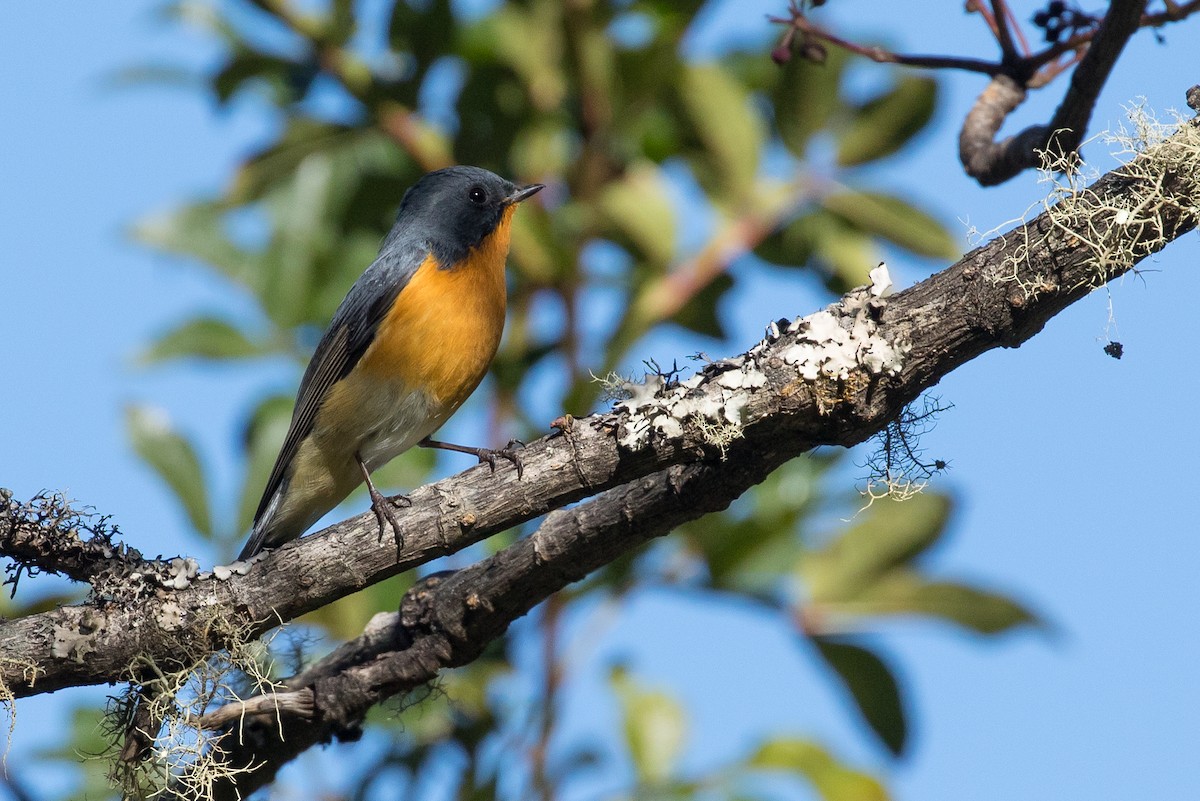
[175, 460]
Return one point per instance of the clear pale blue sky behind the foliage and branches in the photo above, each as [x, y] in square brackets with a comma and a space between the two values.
[1072, 471]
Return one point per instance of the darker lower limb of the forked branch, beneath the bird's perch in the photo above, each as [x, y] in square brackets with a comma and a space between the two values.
[448, 619]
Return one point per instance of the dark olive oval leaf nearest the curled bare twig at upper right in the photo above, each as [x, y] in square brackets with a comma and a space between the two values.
[884, 125]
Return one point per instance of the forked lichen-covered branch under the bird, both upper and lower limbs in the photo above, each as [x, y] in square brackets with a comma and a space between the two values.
[669, 453]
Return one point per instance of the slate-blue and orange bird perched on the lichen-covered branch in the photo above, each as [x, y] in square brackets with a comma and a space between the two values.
[409, 345]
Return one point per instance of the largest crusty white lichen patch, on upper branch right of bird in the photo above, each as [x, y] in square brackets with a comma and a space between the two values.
[841, 347]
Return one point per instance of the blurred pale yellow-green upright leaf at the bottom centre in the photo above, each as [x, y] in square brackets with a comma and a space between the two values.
[655, 730]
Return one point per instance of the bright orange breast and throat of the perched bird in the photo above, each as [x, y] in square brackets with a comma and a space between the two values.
[446, 324]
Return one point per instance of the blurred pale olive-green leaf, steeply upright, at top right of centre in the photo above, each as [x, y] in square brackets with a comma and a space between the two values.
[719, 109]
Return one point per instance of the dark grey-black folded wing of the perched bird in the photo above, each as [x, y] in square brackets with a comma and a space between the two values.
[340, 350]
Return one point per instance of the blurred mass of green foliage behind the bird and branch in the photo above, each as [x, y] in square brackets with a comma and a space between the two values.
[662, 171]
